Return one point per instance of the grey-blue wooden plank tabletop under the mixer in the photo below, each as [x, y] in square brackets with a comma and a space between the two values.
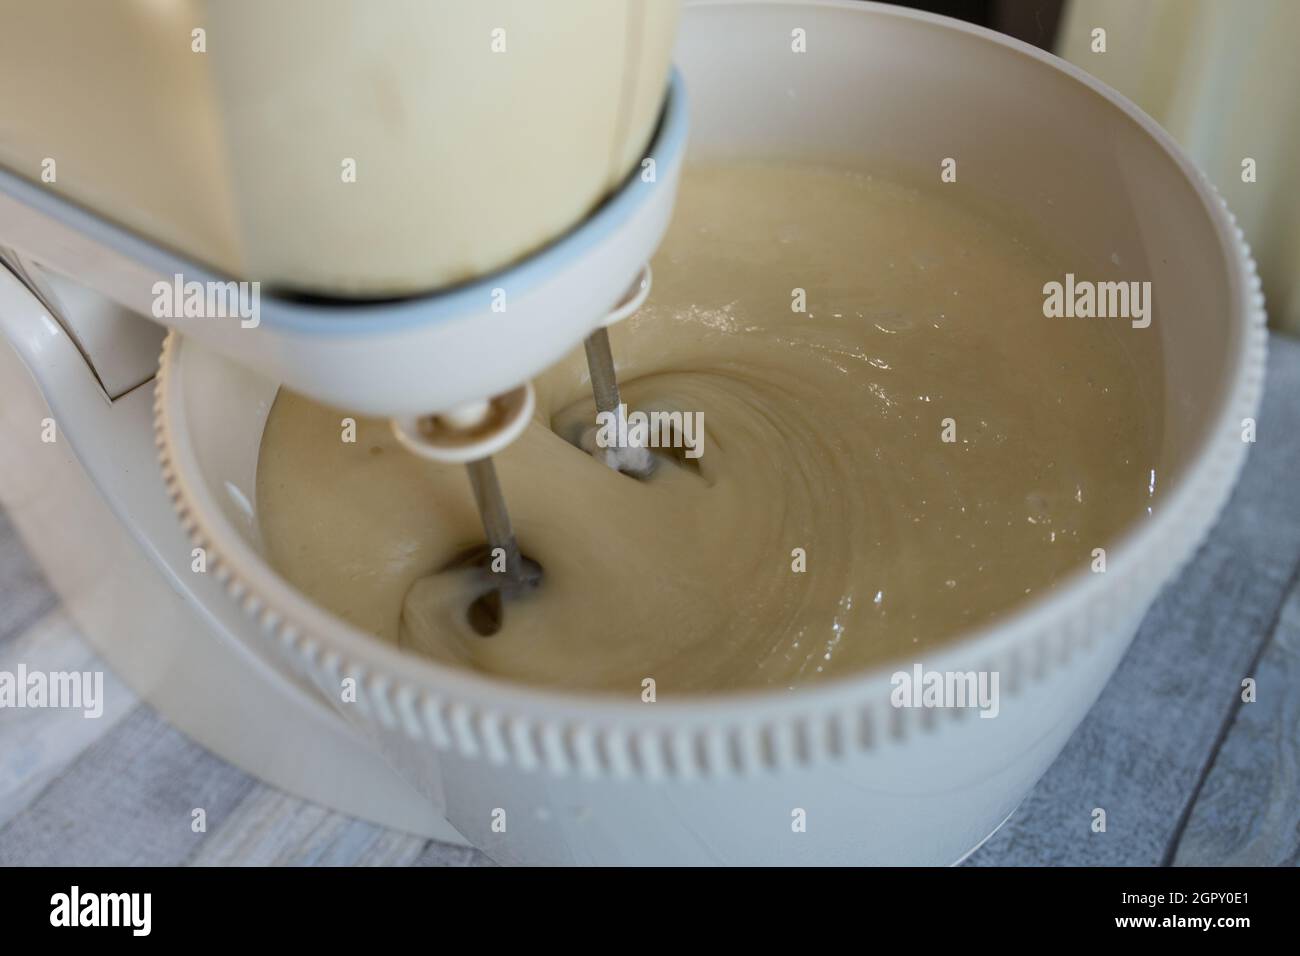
[1186, 771]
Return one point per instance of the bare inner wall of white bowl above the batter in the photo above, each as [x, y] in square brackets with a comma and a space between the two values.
[903, 93]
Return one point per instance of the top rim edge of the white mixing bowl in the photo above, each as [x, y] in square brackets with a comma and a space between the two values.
[1194, 501]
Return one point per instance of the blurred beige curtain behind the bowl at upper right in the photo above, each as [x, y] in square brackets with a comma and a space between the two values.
[1224, 79]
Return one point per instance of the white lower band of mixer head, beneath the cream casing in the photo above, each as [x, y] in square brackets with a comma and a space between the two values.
[410, 356]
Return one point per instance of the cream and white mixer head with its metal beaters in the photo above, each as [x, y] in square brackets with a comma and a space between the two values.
[518, 171]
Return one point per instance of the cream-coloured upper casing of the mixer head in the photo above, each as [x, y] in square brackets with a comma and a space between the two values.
[335, 148]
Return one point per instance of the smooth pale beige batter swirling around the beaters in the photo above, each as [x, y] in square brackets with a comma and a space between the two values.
[824, 432]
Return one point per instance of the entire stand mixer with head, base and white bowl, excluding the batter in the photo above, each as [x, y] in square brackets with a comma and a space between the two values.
[252, 667]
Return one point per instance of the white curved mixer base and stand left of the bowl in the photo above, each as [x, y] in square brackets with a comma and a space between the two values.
[168, 633]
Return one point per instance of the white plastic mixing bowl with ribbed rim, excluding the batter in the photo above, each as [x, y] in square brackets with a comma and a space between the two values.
[587, 780]
